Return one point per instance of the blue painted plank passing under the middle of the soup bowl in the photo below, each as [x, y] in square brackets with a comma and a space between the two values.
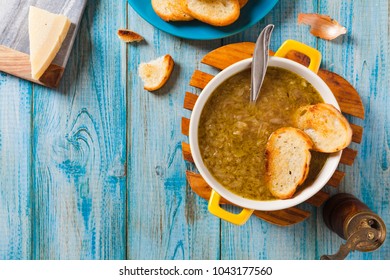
[258, 239]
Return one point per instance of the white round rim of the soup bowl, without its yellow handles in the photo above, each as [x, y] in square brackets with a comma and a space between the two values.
[322, 178]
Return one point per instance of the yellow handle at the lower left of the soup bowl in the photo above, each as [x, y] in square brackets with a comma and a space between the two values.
[215, 209]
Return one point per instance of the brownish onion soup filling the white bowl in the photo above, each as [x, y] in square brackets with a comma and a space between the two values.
[233, 132]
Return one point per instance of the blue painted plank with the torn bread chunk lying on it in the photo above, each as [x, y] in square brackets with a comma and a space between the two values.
[166, 220]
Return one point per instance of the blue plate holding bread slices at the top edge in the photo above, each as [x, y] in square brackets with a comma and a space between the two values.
[251, 13]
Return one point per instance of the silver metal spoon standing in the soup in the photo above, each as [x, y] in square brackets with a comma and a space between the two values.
[260, 61]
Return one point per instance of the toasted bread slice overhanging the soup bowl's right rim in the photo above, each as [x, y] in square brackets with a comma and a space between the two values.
[326, 126]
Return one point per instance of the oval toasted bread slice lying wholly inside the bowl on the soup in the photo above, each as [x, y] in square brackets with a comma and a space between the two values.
[287, 161]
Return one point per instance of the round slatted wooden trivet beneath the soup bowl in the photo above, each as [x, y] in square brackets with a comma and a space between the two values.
[347, 97]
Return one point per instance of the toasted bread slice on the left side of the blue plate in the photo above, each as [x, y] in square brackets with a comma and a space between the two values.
[170, 10]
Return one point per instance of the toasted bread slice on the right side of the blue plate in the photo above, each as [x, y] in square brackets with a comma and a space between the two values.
[214, 12]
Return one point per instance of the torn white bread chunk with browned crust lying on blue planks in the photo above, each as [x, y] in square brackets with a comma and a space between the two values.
[156, 73]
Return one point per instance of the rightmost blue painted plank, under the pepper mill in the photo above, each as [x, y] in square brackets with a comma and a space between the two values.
[362, 57]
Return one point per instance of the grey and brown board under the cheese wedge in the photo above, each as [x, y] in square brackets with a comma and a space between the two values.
[14, 37]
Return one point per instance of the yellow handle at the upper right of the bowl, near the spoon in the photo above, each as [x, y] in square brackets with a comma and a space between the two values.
[312, 53]
